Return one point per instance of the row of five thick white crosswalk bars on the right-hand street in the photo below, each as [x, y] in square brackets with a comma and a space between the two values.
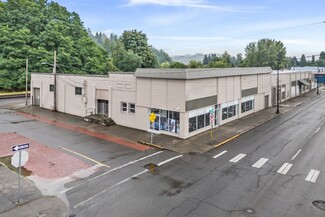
[284, 169]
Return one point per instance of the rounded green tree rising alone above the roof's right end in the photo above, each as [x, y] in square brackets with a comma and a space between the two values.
[266, 52]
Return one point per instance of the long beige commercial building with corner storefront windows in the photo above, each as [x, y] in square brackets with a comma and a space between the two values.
[185, 102]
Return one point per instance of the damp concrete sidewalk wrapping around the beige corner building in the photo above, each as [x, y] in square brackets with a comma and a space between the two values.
[197, 144]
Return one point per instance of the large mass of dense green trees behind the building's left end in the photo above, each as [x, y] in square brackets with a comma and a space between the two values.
[33, 29]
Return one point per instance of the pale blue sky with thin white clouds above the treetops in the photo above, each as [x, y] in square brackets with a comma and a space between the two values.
[210, 26]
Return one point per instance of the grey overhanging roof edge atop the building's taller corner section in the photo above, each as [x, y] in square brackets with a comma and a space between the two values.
[199, 73]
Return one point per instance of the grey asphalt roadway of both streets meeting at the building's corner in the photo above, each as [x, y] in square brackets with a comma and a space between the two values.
[274, 170]
